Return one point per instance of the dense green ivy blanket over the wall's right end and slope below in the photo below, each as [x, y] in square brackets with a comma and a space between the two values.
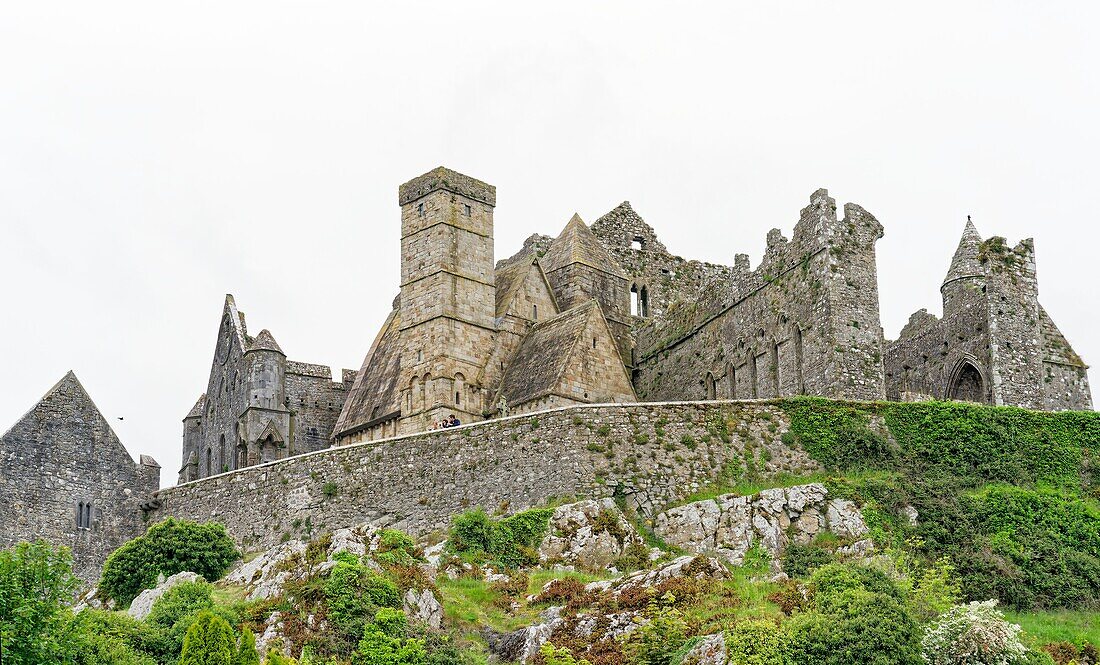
[1008, 495]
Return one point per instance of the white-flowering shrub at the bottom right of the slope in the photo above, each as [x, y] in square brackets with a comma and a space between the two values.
[973, 635]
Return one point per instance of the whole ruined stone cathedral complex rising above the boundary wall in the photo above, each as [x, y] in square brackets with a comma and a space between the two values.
[606, 314]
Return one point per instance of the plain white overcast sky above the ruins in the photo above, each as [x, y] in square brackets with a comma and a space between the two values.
[156, 157]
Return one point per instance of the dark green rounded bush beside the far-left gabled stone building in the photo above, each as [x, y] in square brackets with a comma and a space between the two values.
[168, 548]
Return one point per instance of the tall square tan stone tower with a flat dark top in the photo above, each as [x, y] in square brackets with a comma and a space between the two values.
[448, 298]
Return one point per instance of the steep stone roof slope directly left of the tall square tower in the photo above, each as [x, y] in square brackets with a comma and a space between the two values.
[376, 393]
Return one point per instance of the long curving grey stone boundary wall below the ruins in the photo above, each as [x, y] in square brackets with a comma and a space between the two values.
[652, 455]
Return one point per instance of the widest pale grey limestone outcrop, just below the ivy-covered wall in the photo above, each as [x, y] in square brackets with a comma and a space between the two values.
[729, 526]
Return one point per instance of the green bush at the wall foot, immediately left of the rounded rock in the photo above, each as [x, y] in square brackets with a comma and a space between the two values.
[511, 542]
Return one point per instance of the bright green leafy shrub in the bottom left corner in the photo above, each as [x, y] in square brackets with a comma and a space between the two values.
[37, 586]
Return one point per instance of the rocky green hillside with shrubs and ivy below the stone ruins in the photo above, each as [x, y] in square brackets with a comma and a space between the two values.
[937, 534]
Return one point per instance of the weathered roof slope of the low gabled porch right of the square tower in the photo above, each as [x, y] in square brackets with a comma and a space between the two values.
[544, 356]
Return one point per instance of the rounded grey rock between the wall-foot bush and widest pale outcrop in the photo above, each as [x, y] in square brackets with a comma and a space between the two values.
[590, 535]
